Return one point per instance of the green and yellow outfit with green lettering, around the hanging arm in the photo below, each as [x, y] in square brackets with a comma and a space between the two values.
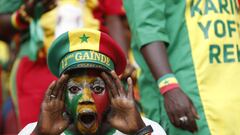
[202, 38]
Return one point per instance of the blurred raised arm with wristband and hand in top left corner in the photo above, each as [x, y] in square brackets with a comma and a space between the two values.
[18, 21]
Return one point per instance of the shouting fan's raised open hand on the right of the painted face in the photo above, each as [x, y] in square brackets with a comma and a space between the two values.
[123, 114]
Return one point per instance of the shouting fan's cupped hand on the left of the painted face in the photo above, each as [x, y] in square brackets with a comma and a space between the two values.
[51, 120]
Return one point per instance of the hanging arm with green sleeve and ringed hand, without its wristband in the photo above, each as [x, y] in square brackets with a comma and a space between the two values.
[150, 34]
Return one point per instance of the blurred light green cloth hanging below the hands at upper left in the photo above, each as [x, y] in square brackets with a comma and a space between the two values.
[36, 33]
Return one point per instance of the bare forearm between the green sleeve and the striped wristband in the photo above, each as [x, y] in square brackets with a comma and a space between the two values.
[156, 57]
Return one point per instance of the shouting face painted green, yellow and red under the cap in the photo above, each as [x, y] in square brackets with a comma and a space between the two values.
[86, 100]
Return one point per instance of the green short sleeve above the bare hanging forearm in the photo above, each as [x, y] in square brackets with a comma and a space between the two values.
[147, 20]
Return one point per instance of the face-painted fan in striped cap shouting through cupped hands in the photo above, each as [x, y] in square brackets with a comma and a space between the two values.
[87, 63]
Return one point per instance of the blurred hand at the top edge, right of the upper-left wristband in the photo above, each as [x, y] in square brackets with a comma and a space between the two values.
[31, 4]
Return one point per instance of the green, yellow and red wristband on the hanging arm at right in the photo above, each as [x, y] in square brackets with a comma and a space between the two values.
[167, 83]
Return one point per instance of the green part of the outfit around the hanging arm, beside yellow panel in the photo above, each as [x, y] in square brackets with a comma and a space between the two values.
[164, 20]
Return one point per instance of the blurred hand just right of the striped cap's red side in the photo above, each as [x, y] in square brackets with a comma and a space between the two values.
[130, 71]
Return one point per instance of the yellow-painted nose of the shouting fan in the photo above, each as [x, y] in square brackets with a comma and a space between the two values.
[86, 97]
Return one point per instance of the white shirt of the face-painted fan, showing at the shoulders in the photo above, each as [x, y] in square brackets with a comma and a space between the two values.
[157, 129]
